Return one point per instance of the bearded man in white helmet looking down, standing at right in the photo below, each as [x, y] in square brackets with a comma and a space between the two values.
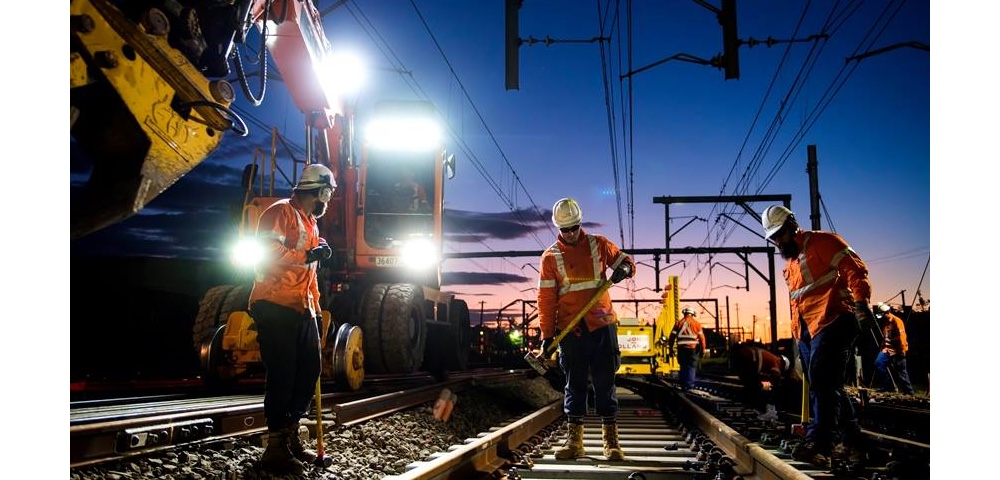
[829, 293]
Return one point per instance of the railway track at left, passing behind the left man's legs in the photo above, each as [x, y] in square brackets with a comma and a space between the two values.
[114, 429]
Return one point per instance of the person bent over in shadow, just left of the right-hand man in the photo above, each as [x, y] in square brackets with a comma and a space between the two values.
[755, 365]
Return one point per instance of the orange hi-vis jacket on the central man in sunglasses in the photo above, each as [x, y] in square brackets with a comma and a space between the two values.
[569, 276]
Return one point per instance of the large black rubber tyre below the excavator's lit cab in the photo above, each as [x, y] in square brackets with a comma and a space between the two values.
[395, 331]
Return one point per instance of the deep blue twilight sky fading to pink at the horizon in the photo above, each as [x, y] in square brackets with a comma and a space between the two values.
[575, 128]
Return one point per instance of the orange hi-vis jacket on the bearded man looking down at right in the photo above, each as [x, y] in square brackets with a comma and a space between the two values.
[824, 281]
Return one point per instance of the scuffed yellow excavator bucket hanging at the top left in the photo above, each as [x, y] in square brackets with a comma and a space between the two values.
[140, 112]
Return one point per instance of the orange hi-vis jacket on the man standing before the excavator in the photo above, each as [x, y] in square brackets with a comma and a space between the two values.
[284, 278]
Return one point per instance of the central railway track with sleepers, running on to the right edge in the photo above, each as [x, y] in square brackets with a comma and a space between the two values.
[665, 434]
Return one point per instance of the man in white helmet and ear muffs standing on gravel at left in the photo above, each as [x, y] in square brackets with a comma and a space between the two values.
[284, 304]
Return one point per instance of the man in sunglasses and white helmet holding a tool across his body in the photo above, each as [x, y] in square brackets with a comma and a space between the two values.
[570, 274]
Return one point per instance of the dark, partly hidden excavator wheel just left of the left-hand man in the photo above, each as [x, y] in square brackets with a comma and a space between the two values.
[209, 326]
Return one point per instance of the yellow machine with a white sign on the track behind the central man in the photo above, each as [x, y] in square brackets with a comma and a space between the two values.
[644, 347]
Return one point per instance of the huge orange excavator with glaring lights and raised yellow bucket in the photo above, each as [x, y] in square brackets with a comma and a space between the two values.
[149, 102]
